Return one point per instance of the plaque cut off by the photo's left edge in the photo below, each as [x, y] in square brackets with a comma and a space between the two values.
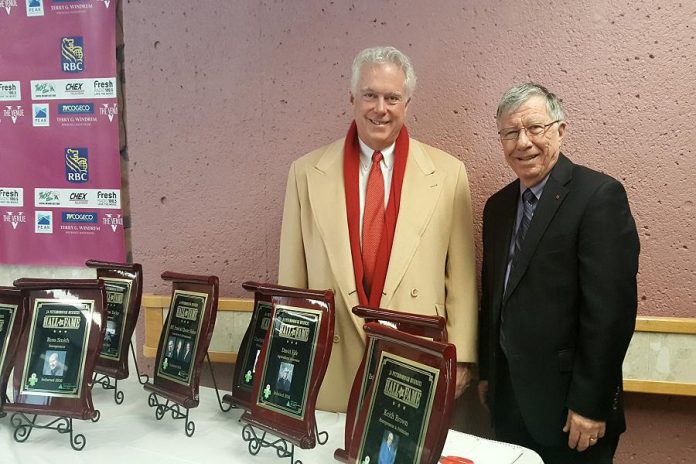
[11, 320]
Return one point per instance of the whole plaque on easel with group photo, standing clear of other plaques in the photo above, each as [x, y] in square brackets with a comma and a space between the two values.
[183, 345]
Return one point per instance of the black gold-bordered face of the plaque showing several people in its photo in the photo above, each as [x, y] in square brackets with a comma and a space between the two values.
[182, 333]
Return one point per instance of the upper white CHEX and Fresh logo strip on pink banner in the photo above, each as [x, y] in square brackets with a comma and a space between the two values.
[65, 89]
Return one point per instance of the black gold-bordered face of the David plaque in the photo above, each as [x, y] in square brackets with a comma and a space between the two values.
[289, 359]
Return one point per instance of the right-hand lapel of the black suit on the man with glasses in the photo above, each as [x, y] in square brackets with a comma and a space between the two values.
[551, 199]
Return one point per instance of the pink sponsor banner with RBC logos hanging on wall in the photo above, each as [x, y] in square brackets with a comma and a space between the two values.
[60, 175]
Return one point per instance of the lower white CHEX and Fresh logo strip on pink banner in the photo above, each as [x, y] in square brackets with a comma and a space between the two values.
[77, 198]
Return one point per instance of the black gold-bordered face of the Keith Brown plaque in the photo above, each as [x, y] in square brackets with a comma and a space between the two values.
[399, 411]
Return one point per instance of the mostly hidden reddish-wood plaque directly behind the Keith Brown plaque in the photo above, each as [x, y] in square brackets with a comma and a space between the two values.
[433, 327]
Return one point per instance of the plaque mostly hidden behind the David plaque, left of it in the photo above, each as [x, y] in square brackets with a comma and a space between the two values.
[249, 351]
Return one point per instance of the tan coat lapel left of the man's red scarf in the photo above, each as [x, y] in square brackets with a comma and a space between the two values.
[327, 197]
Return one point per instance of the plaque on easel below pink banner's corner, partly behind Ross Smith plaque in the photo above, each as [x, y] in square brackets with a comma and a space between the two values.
[124, 287]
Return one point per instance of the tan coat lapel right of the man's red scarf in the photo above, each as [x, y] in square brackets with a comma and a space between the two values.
[421, 189]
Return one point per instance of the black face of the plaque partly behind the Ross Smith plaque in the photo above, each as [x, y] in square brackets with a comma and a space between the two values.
[117, 299]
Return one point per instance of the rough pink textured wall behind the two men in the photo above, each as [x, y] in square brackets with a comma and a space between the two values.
[221, 96]
